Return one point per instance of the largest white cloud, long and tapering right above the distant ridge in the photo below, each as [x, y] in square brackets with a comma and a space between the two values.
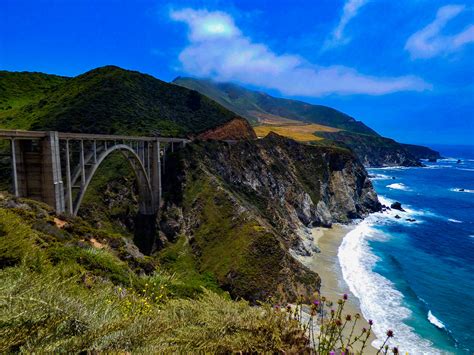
[219, 50]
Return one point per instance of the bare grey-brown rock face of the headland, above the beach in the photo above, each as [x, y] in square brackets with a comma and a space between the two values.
[308, 185]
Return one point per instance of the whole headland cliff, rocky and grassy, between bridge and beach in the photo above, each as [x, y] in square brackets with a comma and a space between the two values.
[245, 209]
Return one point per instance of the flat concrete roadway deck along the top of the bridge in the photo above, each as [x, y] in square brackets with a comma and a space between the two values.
[20, 134]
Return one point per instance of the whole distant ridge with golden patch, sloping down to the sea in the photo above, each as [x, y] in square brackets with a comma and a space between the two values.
[299, 120]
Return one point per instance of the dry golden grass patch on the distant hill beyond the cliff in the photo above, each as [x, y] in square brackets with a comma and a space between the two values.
[301, 132]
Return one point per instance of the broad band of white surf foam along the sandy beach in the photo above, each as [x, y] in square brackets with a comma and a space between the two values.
[379, 299]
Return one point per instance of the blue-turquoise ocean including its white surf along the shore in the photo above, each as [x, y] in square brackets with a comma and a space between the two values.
[417, 277]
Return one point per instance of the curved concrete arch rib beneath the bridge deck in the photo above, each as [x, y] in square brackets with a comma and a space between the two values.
[146, 196]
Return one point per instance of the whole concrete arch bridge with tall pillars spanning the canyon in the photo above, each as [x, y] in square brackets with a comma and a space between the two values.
[57, 168]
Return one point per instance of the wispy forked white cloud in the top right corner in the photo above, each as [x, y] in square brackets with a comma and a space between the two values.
[429, 42]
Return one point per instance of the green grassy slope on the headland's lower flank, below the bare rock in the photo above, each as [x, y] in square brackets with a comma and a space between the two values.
[232, 244]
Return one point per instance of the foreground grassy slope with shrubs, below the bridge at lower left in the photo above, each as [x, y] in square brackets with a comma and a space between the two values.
[78, 289]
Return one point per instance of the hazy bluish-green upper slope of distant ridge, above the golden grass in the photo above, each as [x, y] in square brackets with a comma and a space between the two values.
[255, 105]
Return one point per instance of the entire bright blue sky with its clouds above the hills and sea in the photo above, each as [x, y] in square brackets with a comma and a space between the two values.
[403, 67]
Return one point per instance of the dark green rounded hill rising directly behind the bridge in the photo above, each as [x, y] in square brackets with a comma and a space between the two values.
[106, 100]
